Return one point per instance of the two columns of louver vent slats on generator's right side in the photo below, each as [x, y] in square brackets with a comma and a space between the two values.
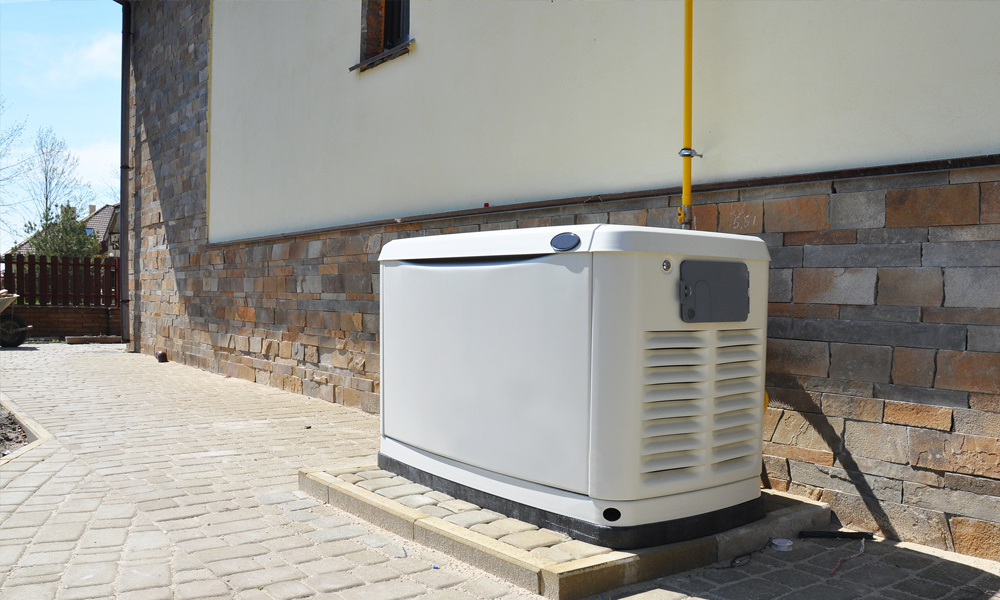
[700, 401]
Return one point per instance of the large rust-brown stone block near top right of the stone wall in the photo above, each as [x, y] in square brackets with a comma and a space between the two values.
[921, 207]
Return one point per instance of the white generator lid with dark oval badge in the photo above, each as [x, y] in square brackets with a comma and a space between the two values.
[537, 241]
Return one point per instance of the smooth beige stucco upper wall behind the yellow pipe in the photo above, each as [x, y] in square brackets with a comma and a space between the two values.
[508, 102]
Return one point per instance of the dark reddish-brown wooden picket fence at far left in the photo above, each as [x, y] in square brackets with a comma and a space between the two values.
[61, 281]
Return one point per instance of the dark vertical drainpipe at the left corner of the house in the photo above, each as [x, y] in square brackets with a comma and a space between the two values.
[123, 211]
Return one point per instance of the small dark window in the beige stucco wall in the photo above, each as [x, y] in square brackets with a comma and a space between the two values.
[385, 31]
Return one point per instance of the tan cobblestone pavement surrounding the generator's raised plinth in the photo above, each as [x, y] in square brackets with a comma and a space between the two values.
[164, 481]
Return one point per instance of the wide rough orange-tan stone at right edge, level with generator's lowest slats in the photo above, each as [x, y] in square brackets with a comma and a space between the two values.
[955, 452]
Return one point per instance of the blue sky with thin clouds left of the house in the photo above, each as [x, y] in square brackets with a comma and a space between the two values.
[60, 67]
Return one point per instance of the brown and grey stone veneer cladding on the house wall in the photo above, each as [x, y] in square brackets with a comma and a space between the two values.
[884, 334]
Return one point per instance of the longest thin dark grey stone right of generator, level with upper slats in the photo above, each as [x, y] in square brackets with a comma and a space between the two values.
[912, 335]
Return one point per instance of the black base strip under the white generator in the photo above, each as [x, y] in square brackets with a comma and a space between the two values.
[619, 538]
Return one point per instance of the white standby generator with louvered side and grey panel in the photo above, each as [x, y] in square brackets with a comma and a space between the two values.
[604, 375]
